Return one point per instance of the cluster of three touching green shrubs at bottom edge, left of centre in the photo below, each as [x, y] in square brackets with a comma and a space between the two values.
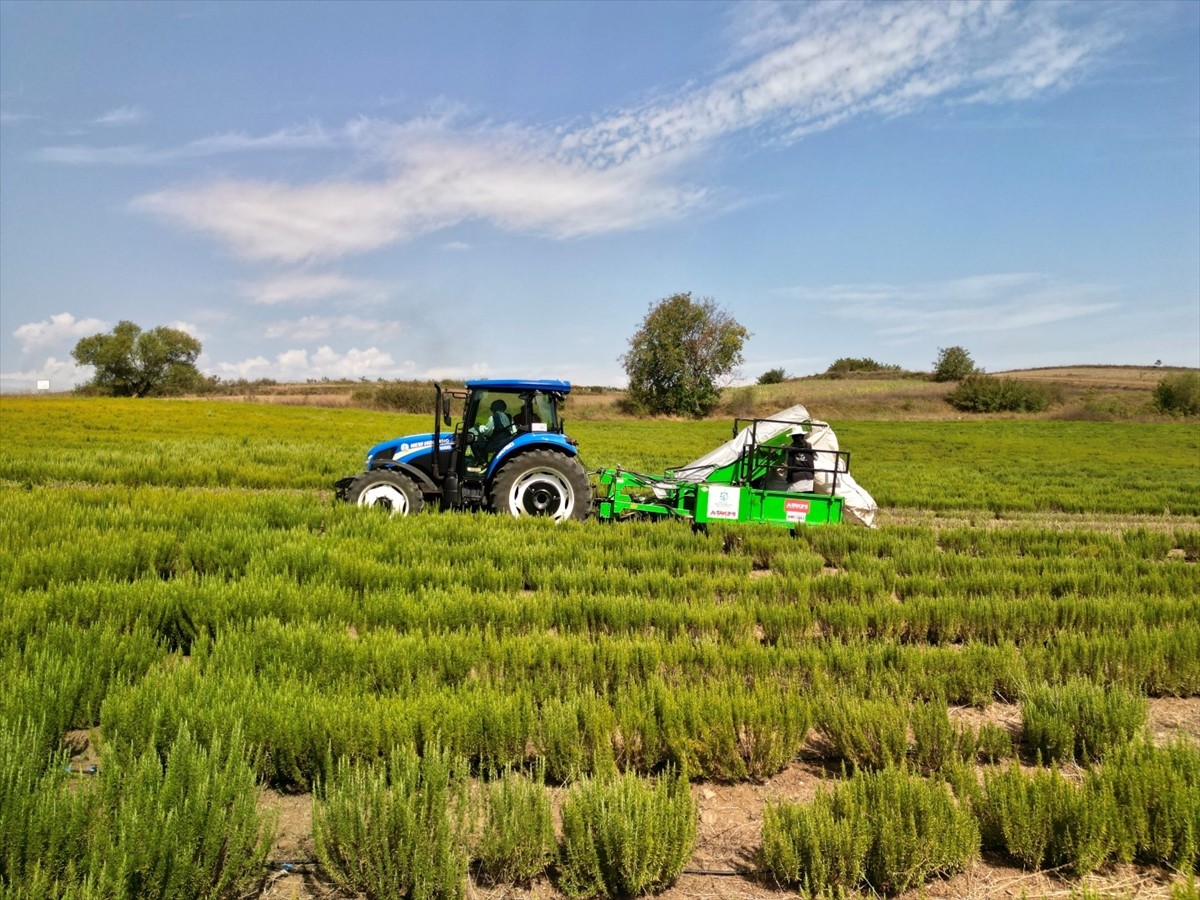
[411, 830]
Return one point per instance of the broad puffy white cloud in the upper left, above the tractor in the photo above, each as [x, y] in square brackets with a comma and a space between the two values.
[442, 177]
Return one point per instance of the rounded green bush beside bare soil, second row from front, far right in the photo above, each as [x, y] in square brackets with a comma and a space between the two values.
[1081, 721]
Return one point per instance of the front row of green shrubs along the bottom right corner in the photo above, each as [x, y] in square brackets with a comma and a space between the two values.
[891, 831]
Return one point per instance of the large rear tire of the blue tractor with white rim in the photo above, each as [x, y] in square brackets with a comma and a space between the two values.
[543, 483]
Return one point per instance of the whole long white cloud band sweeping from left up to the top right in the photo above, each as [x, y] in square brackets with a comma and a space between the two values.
[800, 69]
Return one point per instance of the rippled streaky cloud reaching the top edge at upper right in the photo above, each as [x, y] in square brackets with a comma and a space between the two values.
[813, 67]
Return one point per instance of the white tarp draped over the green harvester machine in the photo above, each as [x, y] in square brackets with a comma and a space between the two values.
[859, 506]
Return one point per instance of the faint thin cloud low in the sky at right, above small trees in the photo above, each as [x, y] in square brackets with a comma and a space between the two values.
[986, 304]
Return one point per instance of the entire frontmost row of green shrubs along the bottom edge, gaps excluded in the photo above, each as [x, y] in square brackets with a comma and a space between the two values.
[411, 826]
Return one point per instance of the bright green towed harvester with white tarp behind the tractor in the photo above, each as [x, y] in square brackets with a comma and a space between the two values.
[785, 472]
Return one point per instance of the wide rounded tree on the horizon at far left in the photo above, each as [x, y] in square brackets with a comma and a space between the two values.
[131, 363]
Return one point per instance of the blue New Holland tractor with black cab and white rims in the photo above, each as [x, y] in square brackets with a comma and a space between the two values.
[508, 454]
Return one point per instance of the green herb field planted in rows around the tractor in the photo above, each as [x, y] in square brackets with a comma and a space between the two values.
[490, 701]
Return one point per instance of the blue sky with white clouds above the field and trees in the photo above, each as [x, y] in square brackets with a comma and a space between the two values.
[494, 189]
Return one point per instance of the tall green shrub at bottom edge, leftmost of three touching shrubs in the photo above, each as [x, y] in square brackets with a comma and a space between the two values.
[397, 830]
